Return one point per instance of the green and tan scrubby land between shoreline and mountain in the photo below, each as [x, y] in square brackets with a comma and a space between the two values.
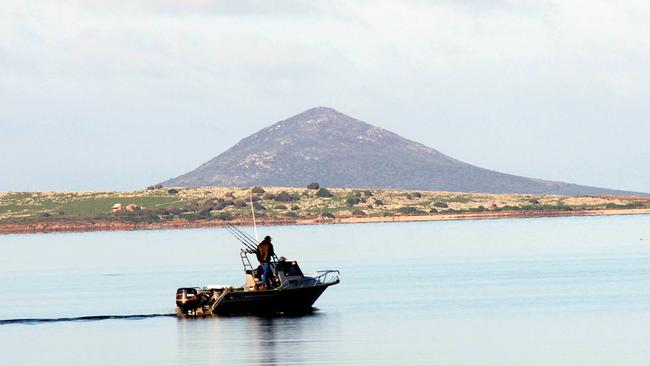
[178, 206]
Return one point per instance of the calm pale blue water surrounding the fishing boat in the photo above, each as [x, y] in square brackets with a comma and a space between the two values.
[558, 291]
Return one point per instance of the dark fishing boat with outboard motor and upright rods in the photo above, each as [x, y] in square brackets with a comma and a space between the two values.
[291, 290]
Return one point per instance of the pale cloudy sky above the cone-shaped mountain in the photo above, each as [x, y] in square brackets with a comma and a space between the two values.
[118, 95]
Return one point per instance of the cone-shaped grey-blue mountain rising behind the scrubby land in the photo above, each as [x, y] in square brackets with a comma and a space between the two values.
[326, 146]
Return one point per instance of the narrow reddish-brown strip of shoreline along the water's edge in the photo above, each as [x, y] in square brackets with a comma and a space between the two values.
[94, 226]
